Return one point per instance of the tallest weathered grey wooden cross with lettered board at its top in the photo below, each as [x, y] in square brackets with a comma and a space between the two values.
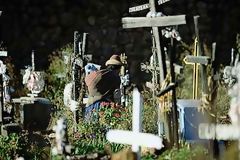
[154, 22]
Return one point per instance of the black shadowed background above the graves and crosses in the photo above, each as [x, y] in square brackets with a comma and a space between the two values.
[47, 25]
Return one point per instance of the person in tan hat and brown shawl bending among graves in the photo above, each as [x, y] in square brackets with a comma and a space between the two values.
[102, 84]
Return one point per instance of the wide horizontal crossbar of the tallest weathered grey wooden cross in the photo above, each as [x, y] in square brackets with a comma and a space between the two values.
[137, 22]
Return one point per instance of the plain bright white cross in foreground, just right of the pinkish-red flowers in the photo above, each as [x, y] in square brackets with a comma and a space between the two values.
[135, 137]
